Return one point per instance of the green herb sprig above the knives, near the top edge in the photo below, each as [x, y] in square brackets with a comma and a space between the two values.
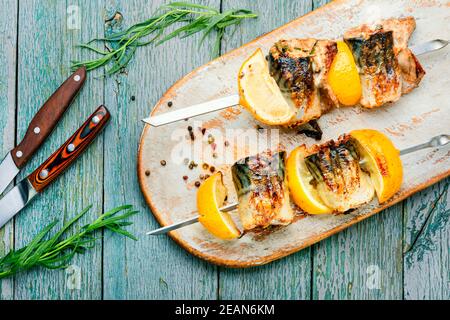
[193, 18]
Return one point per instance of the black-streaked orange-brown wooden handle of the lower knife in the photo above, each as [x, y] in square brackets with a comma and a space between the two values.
[43, 176]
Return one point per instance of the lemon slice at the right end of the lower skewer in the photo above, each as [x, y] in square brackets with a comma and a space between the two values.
[382, 160]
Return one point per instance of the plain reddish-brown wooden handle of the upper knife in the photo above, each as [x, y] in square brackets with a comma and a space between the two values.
[47, 117]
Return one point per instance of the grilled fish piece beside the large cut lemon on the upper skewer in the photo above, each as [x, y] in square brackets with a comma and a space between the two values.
[300, 67]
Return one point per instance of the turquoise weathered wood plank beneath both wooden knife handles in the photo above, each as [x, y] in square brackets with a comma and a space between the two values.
[46, 47]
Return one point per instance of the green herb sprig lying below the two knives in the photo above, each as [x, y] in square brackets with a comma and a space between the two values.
[57, 252]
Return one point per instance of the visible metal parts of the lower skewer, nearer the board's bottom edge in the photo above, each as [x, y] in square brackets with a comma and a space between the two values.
[435, 142]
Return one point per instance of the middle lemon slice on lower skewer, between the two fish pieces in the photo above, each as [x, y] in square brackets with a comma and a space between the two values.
[303, 193]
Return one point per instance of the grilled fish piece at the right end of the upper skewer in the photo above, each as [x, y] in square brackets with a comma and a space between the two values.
[387, 67]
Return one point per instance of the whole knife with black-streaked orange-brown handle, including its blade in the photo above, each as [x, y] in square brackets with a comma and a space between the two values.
[24, 192]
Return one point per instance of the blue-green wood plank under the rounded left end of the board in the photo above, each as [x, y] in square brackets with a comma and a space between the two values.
[152, 267]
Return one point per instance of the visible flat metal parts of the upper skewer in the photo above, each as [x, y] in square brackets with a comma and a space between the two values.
[233, 100]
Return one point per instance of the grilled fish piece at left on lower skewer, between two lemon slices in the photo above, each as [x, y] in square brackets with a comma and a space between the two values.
[262, 190]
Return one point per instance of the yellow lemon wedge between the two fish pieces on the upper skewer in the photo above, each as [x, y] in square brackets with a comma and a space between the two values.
[343, 76]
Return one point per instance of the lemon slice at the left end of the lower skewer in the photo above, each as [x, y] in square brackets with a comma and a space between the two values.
[210, 197]
